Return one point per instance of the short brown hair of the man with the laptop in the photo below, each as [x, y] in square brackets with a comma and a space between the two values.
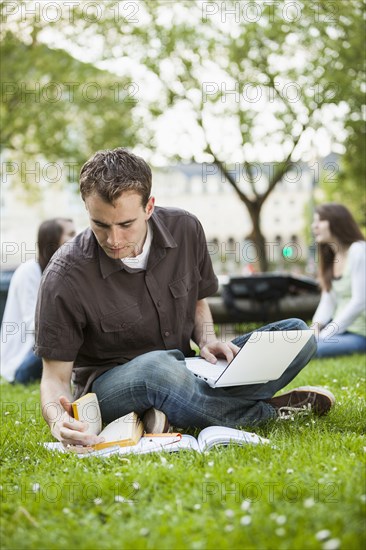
[112, 172]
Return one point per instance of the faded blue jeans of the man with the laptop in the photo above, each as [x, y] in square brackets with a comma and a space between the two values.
[160, 379]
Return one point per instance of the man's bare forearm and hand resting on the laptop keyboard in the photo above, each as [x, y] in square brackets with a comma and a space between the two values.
[205, 337]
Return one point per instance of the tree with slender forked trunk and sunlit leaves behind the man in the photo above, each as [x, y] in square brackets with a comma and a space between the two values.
[275, 73]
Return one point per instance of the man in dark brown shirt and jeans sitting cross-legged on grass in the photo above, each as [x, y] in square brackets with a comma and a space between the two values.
[119, 305]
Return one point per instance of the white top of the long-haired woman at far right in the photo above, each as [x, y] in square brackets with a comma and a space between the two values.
[345, 311]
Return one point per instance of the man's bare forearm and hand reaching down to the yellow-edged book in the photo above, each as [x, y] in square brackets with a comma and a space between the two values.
[56, 402]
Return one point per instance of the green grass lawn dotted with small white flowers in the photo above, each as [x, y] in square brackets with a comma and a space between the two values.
[310, 479]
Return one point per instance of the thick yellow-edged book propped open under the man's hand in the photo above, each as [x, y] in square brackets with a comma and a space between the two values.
[124, 431]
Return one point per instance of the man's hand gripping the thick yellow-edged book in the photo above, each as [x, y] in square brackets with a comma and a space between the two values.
[73, 432]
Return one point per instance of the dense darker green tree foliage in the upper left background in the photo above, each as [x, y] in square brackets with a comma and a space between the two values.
[54, 107]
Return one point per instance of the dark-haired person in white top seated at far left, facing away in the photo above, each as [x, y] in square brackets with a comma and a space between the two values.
[18, 362]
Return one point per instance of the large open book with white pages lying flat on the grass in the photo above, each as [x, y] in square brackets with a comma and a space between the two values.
[210, 437]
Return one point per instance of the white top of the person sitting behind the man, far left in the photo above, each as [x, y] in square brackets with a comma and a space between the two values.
[17, 327]
